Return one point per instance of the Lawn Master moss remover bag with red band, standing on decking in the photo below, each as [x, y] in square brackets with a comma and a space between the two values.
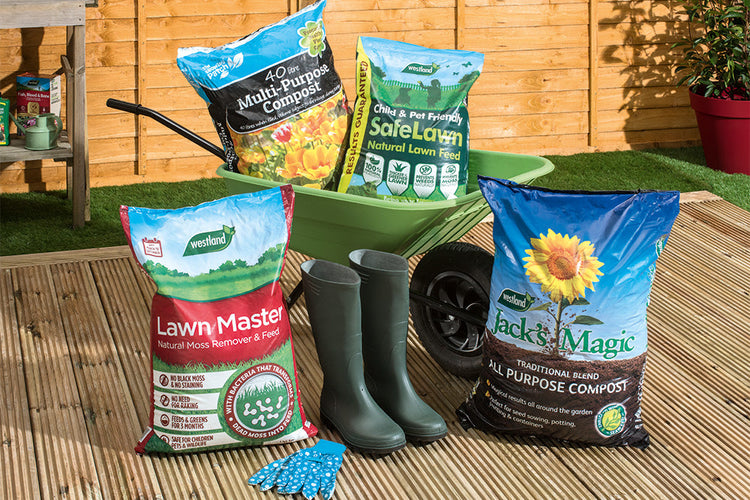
[221, 348]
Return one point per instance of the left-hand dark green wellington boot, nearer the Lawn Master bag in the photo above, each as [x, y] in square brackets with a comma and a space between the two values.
[333, 304]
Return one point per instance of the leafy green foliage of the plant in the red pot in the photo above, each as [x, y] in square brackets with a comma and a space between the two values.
[716, 52]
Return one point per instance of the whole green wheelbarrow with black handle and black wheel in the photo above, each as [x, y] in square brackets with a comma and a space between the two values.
[450, 286]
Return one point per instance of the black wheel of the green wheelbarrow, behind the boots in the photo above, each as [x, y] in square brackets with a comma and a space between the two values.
[456, 275]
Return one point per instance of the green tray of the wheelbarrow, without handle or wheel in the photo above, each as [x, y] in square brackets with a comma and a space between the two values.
[328, 225]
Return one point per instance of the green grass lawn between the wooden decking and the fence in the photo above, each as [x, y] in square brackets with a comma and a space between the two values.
[41, 222]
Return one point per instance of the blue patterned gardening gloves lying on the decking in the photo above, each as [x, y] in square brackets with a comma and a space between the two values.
[310, 470]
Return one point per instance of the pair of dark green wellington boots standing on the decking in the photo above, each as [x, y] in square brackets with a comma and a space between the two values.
[359, 317]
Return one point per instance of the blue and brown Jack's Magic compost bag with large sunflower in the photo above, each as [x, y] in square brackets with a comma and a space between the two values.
[565, 343]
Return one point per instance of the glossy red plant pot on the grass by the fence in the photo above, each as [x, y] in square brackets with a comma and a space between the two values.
[724, 125]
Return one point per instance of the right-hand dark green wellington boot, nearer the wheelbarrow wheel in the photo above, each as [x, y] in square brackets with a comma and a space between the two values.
[385, 322]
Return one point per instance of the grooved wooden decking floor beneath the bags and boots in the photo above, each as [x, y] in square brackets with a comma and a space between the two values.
[74, 362]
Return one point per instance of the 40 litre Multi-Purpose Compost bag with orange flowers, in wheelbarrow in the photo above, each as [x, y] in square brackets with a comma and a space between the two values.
[275, 99]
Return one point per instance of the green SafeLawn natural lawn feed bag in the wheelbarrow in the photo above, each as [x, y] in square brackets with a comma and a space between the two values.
[409, 136]
